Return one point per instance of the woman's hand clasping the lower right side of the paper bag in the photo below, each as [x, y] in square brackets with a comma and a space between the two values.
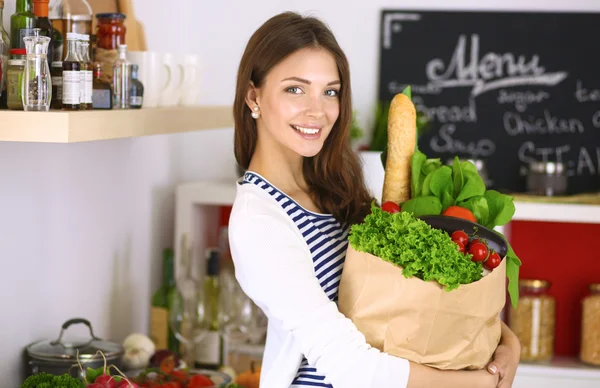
[506, 358]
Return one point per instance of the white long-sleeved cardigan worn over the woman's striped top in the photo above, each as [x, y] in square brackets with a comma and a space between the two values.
[274, 267]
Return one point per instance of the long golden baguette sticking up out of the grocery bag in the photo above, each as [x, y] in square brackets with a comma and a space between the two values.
[402, 140]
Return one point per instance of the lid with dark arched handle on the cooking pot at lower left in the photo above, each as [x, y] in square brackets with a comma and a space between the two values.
[87, 349]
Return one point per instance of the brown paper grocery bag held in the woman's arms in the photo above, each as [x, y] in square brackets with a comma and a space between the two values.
[421, 321]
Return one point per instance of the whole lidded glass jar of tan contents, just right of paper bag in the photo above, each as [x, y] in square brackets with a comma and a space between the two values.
[534, 320]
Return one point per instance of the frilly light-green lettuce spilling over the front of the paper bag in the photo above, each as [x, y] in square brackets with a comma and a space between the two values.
[419, 249]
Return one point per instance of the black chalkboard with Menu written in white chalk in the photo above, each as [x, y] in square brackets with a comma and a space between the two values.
[508, 88]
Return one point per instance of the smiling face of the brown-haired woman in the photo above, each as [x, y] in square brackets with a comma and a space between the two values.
[299, 102]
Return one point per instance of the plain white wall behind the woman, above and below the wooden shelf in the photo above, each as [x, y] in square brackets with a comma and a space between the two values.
[82, 226]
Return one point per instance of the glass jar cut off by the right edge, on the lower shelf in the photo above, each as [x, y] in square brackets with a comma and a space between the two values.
[590, 327]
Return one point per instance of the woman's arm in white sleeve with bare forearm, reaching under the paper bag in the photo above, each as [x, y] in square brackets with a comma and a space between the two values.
[276, 271]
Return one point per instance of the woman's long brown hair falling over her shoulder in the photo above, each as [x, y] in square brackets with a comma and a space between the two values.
[334, 176]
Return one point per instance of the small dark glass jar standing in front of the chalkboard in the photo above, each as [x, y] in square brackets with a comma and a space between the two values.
[547, 178]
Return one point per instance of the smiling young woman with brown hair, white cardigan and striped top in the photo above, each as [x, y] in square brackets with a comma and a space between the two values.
[289, 225]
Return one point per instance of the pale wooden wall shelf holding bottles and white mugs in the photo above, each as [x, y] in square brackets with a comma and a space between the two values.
[71, 127]
